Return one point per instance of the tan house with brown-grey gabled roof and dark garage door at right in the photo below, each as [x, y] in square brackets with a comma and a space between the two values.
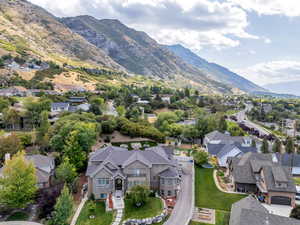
[261, 174]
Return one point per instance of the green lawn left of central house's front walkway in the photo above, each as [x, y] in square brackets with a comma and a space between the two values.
[102, 217]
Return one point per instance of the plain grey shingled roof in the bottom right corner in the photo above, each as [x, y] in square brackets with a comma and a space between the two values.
[250, 211]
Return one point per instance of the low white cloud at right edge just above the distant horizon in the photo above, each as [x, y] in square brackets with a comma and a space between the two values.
[272, 72]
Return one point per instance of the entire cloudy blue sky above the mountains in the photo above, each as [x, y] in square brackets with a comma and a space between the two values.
[259, 39]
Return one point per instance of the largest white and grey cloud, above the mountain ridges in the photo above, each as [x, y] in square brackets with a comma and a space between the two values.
[193, 23]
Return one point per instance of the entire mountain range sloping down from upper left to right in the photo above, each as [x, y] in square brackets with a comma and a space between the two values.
[30, 30]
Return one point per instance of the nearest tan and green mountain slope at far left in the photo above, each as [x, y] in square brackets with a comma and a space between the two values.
[29, 29]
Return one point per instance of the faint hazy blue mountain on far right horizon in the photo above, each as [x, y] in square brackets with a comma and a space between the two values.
[290, 87]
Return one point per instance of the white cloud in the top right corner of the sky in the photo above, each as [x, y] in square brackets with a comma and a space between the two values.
[290, 8]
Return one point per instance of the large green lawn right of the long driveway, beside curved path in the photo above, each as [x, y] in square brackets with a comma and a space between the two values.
[208, 195]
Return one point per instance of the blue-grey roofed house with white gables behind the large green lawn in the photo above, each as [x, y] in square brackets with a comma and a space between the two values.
[223, 146]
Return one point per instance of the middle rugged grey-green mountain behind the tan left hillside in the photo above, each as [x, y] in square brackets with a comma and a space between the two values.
[139, 53]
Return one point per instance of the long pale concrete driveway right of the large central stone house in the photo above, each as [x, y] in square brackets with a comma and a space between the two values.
[182, 212]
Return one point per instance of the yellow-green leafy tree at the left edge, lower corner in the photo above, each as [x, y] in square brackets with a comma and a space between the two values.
[18, 183]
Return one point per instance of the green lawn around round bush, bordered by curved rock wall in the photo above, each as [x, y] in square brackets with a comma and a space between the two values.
[153, 207]
